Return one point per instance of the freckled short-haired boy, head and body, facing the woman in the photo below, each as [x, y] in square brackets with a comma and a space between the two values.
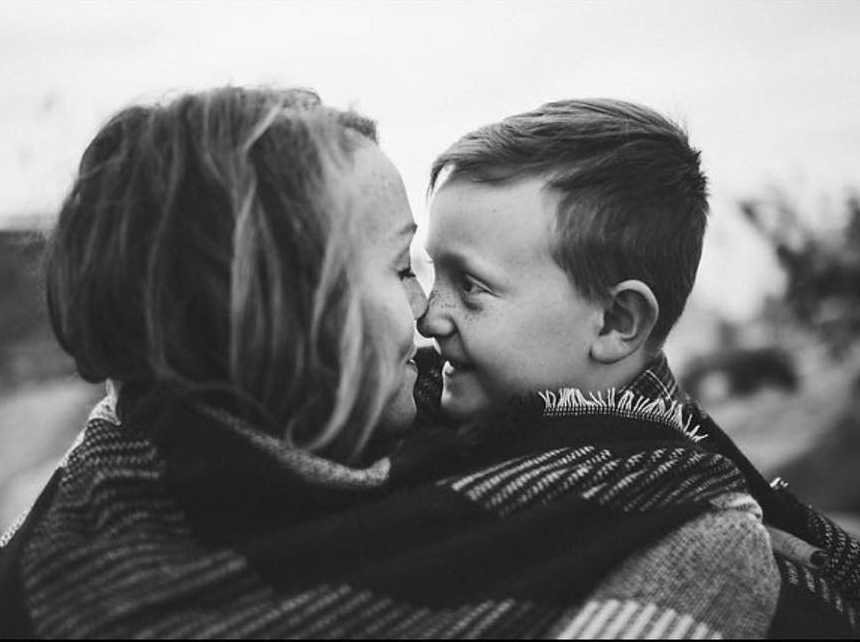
[565, 243]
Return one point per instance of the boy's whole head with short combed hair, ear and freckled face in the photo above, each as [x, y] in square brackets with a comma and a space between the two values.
[565, 243]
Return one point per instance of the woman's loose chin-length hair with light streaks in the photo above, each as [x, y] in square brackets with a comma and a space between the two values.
[206, 248]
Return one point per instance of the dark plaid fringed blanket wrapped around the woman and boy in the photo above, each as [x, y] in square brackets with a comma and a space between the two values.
[603, 518]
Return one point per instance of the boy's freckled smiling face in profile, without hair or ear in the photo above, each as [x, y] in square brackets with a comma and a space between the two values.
[507, 319]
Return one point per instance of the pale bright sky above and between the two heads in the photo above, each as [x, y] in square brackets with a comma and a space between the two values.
[770, 91]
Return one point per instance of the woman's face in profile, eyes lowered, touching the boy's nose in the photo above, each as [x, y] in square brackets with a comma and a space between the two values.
[394, 298]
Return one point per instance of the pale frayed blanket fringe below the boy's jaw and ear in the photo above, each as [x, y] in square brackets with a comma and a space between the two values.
[627, 403]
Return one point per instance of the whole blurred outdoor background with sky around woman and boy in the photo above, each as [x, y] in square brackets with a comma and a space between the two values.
[770, 92]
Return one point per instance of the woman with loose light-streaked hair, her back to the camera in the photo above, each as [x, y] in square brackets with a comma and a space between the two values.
[237, 262]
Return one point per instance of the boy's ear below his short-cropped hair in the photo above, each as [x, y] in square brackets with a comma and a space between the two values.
[629, 316]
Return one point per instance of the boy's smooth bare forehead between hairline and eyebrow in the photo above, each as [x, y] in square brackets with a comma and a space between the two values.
[514, 218]
